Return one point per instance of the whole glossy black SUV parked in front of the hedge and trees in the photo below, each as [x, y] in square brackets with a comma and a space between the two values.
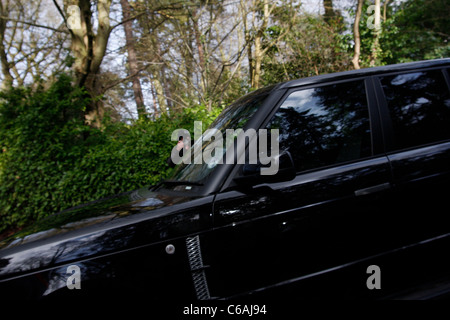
[358, 207]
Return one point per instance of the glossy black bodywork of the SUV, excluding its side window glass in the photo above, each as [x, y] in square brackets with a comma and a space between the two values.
[308, 236]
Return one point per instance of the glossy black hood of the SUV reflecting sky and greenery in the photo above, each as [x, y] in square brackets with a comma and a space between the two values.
[105, 226]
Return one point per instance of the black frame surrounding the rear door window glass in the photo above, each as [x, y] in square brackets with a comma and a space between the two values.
[386, 119]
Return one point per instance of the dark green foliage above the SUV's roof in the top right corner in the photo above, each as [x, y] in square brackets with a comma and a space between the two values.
[413, 31]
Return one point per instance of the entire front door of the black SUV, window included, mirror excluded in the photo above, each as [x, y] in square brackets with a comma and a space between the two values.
[330, 215]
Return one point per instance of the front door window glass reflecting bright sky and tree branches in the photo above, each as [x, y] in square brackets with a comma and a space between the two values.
[325, 125]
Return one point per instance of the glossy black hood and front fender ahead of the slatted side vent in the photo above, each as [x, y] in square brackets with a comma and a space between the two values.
[120, 249]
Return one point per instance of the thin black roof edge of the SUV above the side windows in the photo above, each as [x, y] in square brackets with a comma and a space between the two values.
[364, 72]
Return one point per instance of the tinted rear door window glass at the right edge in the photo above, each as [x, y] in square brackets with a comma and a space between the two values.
[419, 105]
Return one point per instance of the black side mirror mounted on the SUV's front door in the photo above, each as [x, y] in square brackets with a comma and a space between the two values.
[280, 168]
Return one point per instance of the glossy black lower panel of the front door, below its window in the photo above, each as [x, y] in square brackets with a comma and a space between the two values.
[303, 226]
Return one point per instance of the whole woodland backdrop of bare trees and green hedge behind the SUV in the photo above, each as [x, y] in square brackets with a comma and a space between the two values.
[91, 90]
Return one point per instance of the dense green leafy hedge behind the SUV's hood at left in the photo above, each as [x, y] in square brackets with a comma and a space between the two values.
[51, 160]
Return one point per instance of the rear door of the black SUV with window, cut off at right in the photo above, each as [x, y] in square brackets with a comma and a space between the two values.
[415, 107]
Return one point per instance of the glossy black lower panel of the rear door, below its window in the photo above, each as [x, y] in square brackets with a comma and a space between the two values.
[421, 178]
